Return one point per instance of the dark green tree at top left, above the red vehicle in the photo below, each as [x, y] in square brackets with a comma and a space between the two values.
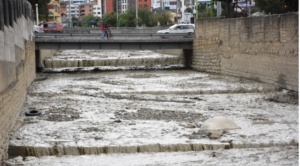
[42, 8]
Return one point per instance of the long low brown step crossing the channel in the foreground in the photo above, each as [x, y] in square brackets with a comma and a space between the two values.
[60, 150]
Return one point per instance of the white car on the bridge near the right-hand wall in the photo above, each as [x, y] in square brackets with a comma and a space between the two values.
[187, 30]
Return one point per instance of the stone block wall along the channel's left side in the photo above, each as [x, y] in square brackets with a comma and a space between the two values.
[17, 64]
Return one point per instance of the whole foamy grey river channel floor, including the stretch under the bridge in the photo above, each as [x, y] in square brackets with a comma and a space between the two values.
[144, 108]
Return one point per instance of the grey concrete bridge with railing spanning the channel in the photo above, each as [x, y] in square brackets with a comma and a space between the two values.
[128, 41]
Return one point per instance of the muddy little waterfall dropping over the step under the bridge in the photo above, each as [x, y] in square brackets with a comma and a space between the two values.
[126, 61]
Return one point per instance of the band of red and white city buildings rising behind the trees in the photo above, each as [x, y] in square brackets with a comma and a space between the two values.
[62, 10]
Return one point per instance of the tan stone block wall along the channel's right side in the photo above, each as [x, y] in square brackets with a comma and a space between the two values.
[260, 48]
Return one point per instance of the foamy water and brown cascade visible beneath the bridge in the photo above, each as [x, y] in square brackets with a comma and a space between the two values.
[104, 59]
